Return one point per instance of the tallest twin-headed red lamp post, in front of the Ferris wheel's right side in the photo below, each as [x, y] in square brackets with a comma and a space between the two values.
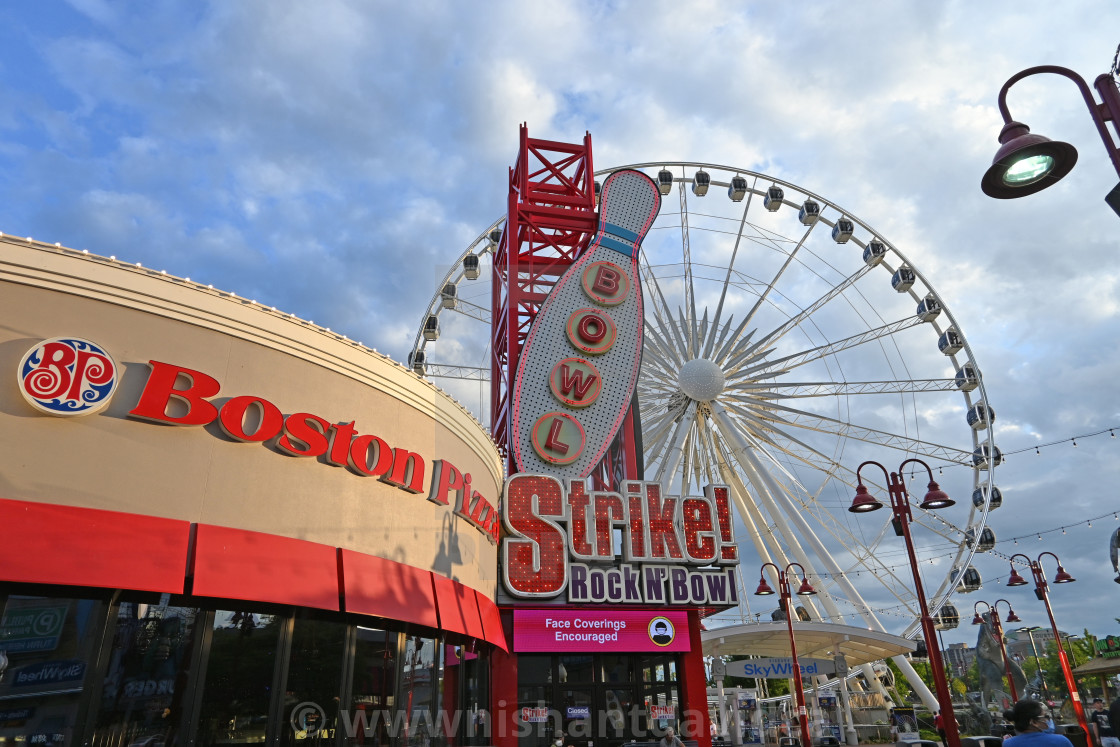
[900, 505]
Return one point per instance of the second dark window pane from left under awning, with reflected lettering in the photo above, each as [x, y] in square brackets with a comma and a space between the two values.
[150, 668]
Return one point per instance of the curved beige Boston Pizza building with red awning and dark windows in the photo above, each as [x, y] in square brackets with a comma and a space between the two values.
[223, 526]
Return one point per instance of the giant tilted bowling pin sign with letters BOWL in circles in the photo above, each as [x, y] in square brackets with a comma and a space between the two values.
[580, 366]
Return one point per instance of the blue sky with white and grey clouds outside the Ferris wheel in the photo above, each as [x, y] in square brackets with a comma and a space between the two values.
[334, 158]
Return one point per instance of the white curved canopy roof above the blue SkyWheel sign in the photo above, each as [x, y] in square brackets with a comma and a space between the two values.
[817, 640]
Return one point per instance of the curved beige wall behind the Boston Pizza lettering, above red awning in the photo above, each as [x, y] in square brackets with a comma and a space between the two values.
[115, 462]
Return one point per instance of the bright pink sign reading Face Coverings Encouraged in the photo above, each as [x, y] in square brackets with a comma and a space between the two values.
[592, 630]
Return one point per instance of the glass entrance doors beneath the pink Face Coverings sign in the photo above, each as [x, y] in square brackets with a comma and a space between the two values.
[601, 699]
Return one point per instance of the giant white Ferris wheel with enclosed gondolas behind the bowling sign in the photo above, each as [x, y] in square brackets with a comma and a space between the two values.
[787, 342]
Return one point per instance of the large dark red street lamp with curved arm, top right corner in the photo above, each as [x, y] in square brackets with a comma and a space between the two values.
[1026, 163]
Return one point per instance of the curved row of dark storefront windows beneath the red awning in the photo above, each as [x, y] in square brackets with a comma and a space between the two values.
[120, 670]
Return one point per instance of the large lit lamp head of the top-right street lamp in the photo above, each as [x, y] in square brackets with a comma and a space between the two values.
[1026, 163]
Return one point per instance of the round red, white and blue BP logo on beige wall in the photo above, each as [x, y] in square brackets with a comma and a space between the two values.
[68, 377]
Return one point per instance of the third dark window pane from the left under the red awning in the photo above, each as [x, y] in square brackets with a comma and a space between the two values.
[239, 678]
